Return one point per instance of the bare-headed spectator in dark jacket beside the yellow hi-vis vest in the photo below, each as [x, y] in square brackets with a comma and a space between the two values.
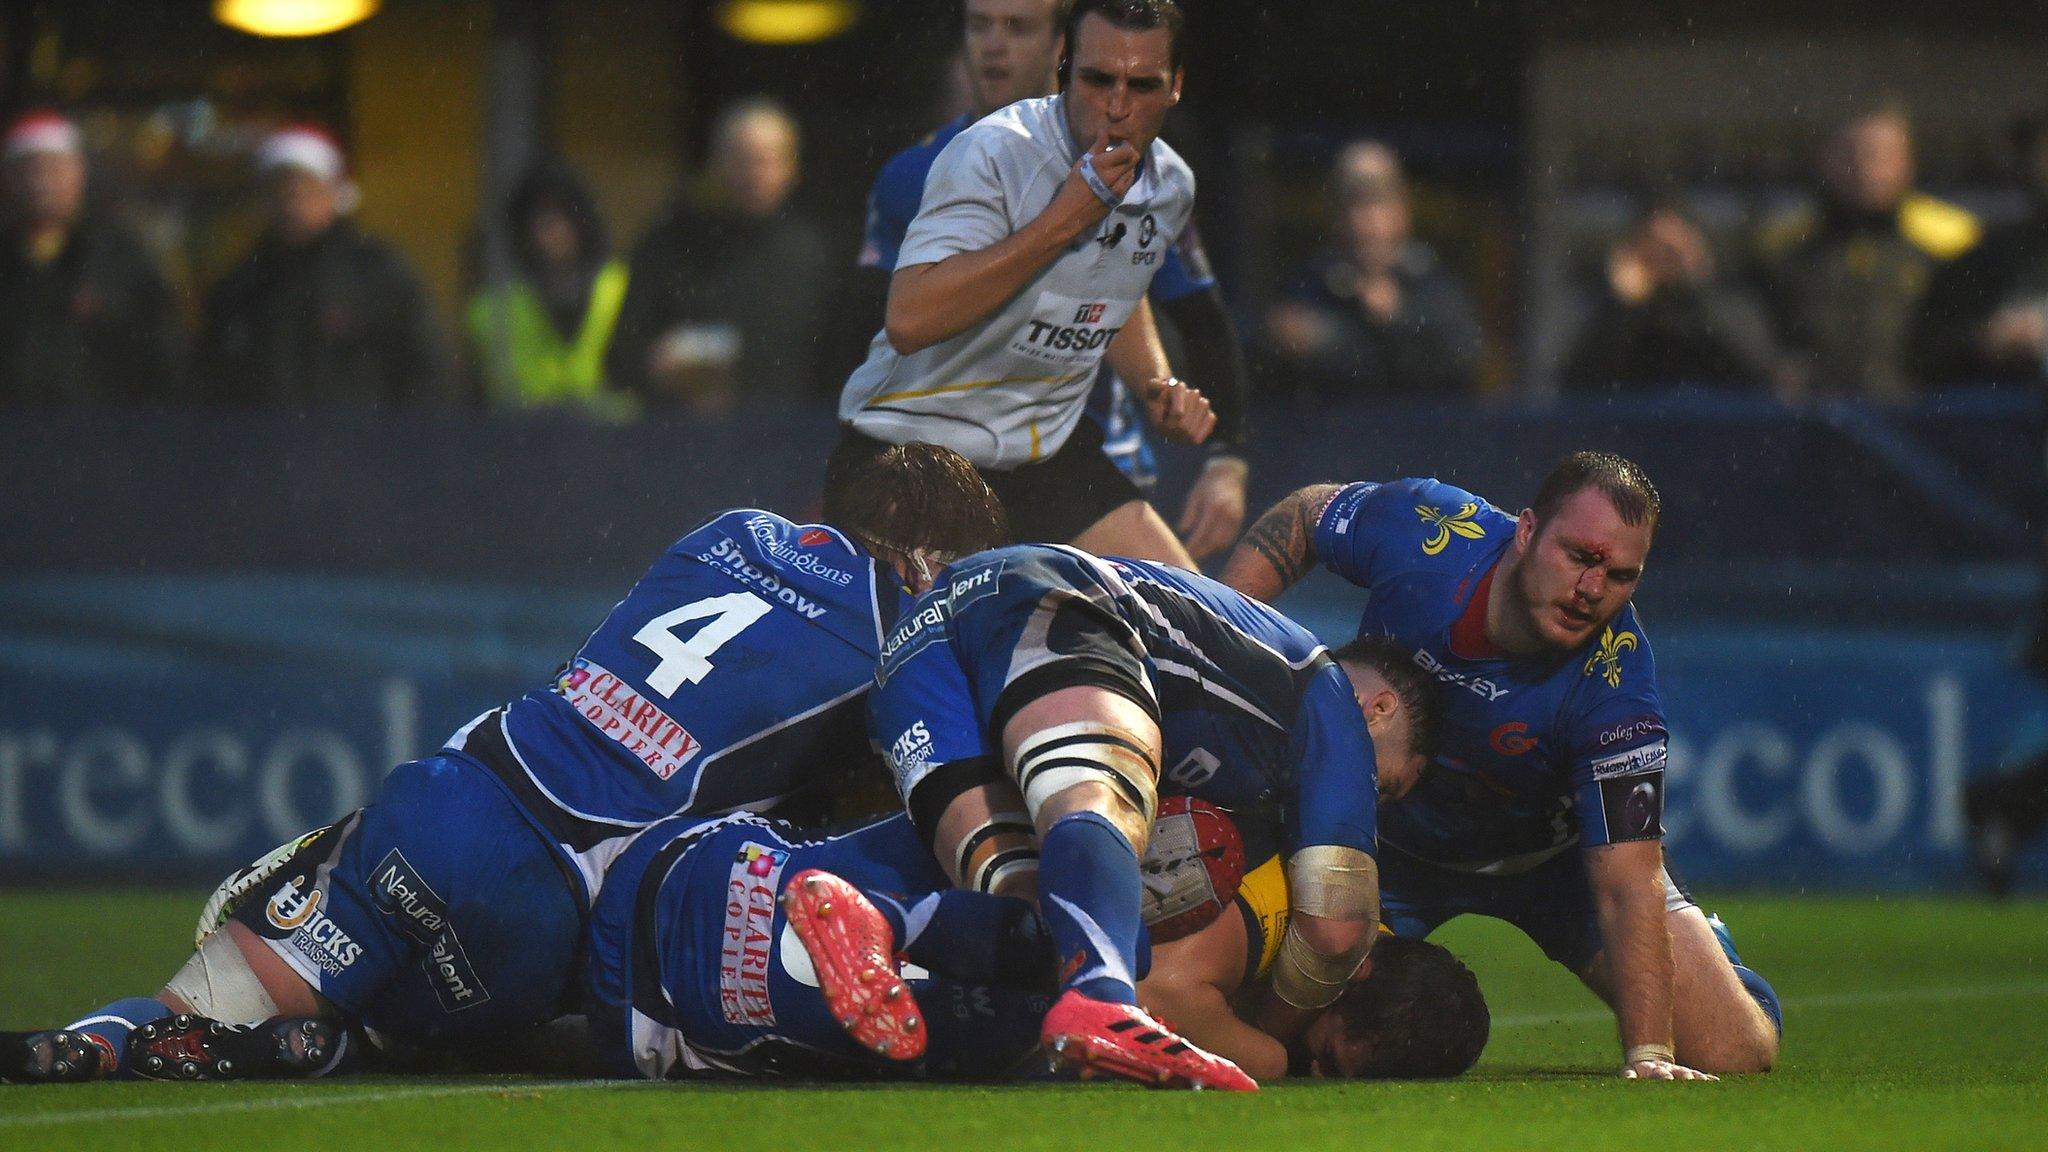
[726, 298]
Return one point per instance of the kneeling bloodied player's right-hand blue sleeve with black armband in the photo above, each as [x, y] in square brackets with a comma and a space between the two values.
[1619, 747]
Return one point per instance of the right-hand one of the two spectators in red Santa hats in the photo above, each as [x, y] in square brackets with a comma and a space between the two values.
[318, 315]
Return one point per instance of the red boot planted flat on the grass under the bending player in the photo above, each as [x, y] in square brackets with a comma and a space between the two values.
[1099, 1036]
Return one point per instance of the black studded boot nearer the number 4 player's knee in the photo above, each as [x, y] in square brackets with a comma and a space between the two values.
[198, 1048]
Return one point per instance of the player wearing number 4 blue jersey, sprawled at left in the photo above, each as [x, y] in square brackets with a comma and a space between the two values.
[450, 911]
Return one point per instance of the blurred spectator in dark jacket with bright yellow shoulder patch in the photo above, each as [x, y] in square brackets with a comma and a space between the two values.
[1846, 284]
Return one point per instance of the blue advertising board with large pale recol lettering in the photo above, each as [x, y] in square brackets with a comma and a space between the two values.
[1797, 759]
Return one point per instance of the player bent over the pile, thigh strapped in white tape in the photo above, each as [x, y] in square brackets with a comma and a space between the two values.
[1046, 698]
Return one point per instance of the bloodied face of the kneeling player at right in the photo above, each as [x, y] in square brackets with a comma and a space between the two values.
[1578, 569]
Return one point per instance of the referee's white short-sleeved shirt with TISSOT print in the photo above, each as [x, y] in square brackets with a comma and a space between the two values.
[1013, 388]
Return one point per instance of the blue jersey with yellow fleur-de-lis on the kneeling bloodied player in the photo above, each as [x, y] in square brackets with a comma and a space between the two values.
[1539, 751]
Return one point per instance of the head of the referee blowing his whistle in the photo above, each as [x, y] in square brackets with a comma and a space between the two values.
[1123, 83]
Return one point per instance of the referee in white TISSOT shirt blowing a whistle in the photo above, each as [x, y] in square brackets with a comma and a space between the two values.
[1025, 270]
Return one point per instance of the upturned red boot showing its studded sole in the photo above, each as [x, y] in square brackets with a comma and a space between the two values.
[853, 950]
